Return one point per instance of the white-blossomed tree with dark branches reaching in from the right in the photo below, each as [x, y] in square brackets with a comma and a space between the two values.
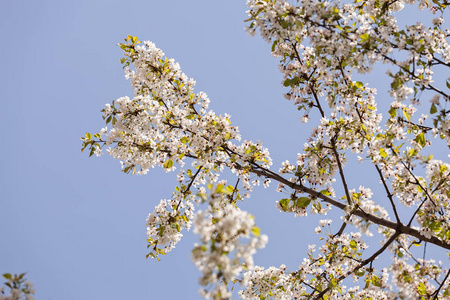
[321, 45]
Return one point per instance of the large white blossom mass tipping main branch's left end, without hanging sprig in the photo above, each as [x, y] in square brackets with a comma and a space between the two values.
[167, 122]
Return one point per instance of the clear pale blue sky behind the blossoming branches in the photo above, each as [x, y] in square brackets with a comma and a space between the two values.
[77, 224]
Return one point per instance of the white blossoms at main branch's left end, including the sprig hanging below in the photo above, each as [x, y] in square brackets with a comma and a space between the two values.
[163, 124]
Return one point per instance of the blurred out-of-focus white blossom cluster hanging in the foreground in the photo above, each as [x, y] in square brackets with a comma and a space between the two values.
[221, 255]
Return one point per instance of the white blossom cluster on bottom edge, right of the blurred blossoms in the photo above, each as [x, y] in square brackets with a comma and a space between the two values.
[319, 272]
